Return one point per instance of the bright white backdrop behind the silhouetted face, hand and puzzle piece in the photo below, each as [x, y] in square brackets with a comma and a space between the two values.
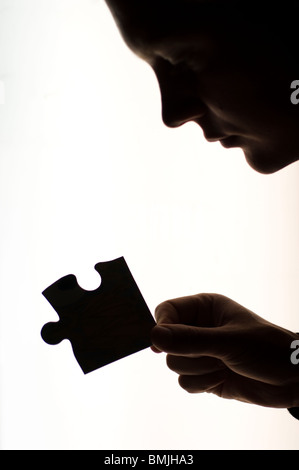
[88, 173]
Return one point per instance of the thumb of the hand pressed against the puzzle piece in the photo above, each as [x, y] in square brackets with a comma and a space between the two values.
[185, 340]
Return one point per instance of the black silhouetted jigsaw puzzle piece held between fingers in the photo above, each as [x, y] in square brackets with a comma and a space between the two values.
[103, 325]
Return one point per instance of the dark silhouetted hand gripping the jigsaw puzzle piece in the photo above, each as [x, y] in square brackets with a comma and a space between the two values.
[218, 346]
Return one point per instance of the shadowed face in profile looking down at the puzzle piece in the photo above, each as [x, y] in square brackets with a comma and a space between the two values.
[234, 82]
